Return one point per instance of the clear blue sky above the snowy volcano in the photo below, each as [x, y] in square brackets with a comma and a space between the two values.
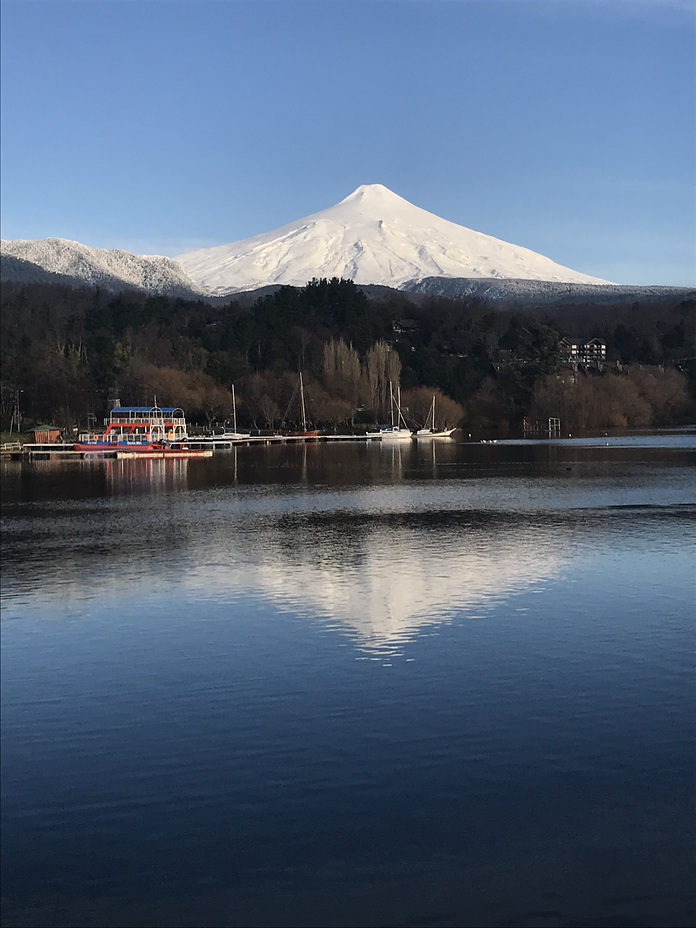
[566, 126]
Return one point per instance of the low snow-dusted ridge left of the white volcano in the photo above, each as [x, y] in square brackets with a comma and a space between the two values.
[81, 265]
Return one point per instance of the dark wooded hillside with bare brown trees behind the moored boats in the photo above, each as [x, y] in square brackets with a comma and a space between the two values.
[67, 354]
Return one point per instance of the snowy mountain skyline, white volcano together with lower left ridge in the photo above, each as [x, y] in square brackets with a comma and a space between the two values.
[372, 236]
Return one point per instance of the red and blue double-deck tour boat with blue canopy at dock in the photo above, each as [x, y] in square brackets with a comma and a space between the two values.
[150, 431]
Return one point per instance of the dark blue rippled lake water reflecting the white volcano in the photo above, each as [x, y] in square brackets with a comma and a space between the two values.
[352, 685]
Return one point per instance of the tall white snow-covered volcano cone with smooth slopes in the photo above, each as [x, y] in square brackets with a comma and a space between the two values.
[373, 236]
